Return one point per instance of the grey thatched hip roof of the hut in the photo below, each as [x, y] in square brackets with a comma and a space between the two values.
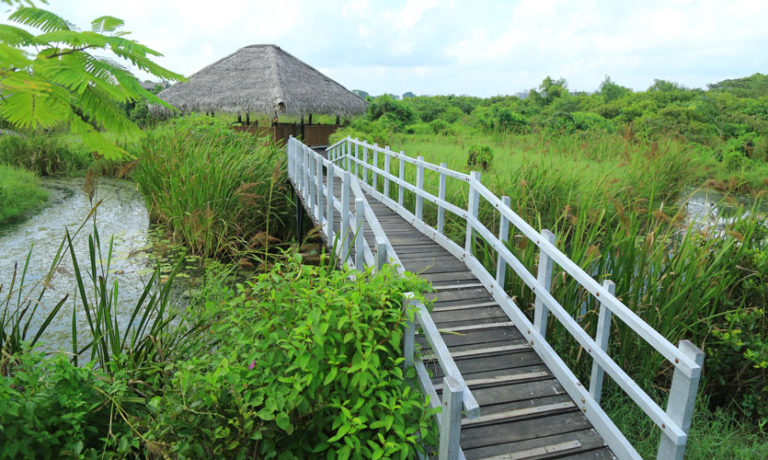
[262, 79]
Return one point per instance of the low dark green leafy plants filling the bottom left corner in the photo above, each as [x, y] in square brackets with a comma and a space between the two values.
[54, 409]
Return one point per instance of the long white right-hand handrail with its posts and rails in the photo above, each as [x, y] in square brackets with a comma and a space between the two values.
[686, 359]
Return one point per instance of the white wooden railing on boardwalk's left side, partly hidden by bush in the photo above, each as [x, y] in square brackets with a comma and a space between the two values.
[313, 178]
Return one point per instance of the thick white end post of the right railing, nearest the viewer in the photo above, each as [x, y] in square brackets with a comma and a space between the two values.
[682, 399]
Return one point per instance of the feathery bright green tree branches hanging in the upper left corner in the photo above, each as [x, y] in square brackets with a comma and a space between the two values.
[52, 78]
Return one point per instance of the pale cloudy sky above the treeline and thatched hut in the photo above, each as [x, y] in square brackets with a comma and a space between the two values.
[475, 47]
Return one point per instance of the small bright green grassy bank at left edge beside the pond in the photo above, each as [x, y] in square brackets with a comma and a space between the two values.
[20, 192]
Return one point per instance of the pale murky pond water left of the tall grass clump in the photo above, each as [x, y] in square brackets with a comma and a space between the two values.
[121, 214]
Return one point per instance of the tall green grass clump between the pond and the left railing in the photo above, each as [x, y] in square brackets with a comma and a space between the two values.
[217, 192]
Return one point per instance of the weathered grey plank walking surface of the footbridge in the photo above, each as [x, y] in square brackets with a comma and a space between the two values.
[525, 412]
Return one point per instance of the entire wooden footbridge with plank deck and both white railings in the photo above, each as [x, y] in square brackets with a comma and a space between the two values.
[508, 394]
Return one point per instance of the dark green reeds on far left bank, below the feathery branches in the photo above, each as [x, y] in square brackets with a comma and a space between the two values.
[42, 154]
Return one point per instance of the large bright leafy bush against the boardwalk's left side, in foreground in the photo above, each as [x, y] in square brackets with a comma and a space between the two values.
[301, 363]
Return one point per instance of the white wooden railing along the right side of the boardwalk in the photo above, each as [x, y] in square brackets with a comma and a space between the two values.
[373, 174]
